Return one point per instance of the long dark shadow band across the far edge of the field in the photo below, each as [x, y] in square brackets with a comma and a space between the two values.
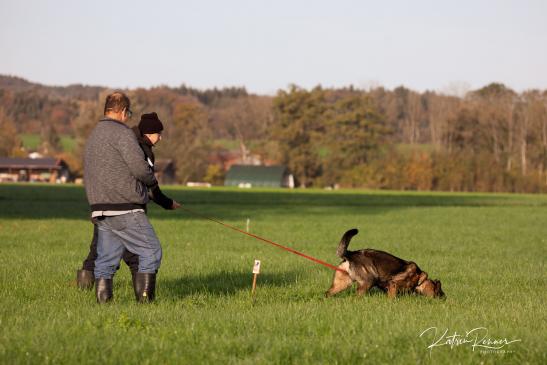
[45, 201]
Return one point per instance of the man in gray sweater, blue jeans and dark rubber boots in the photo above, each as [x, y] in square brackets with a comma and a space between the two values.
[117, 178]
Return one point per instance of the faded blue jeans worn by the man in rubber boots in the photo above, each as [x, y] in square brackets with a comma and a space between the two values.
[131, 231]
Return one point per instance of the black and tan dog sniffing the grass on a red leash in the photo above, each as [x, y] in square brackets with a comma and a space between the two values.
[378, 268]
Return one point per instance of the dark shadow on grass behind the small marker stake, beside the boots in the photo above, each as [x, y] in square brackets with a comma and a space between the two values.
[224, 283]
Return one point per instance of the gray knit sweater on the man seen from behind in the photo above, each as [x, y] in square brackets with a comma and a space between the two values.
[115, 171]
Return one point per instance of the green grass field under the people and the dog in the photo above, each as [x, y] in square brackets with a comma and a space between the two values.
[488, 250]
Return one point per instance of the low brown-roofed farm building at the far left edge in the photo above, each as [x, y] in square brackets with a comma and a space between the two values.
[46, 169]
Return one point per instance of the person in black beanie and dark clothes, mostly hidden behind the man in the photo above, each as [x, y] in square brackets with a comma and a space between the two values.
[148, 133]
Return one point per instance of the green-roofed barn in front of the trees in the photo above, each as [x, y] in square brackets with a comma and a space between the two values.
[259, 176]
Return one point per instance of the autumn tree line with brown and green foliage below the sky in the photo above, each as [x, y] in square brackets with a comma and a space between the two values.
[491, 139]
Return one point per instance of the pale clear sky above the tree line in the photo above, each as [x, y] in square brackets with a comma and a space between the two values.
[267, 45]
